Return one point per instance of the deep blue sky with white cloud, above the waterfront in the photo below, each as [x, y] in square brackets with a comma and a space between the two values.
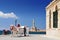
[25, 11]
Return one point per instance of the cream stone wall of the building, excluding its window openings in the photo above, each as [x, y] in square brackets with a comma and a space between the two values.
[52, 31]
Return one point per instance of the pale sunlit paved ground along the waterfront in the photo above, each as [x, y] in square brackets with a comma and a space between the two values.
[31, 37]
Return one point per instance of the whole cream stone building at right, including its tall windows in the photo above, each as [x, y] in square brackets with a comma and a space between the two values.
[53, 18]
